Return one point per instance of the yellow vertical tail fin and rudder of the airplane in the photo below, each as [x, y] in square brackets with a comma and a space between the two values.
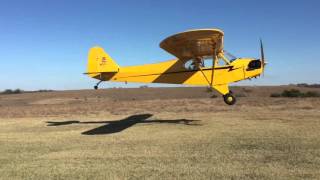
[100, 62]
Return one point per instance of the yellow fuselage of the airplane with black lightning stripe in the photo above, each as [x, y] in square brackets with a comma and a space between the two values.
[175, 72]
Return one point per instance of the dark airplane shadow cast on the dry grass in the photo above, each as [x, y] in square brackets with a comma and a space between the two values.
[111, 127]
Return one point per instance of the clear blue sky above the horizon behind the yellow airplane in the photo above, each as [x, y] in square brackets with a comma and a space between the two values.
[44, 44]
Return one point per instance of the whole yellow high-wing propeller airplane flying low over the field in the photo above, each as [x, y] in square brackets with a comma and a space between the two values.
[201, 60]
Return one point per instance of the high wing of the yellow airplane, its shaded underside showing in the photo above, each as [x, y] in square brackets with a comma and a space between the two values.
[194, 43]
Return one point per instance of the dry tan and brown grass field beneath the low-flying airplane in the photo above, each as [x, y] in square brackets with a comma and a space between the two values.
[158, 133]
